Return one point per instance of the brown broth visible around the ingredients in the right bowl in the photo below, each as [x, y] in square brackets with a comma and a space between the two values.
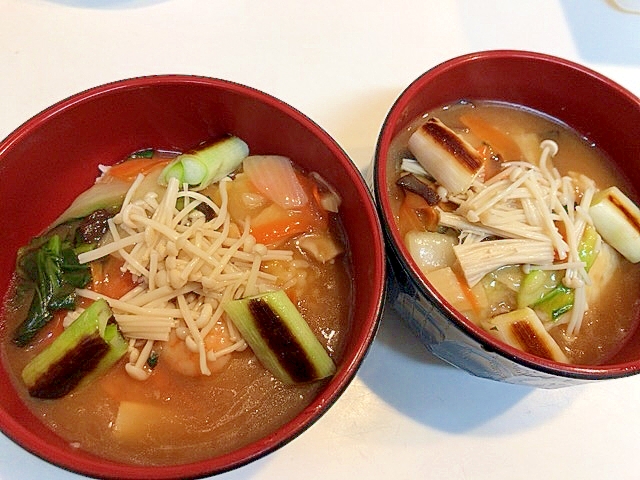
[608, 323]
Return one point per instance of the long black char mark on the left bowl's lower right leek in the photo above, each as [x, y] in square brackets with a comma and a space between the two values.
[281, 340]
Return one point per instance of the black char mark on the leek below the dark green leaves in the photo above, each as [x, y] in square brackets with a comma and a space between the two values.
[64, 375]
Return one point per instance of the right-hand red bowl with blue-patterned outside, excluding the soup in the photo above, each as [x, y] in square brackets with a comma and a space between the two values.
[596, 107]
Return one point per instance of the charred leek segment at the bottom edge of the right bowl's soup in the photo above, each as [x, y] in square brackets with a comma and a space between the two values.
[522, 329]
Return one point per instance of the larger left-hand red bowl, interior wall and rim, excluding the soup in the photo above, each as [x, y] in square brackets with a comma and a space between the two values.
[55, 155]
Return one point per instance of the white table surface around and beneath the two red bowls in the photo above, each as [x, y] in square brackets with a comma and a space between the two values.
[406, 415]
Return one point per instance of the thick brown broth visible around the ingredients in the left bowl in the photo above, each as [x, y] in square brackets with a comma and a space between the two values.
[193, 418]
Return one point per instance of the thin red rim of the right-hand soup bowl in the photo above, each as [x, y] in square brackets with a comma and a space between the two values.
[392, 237]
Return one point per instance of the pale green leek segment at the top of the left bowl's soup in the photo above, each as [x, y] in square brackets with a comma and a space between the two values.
[208, 165]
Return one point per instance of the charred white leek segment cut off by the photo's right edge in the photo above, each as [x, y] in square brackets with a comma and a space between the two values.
[617, 219]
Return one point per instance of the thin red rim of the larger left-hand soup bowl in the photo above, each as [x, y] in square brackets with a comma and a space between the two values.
[97, 466]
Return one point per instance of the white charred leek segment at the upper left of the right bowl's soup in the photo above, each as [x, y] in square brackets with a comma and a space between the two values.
[453, 162]
